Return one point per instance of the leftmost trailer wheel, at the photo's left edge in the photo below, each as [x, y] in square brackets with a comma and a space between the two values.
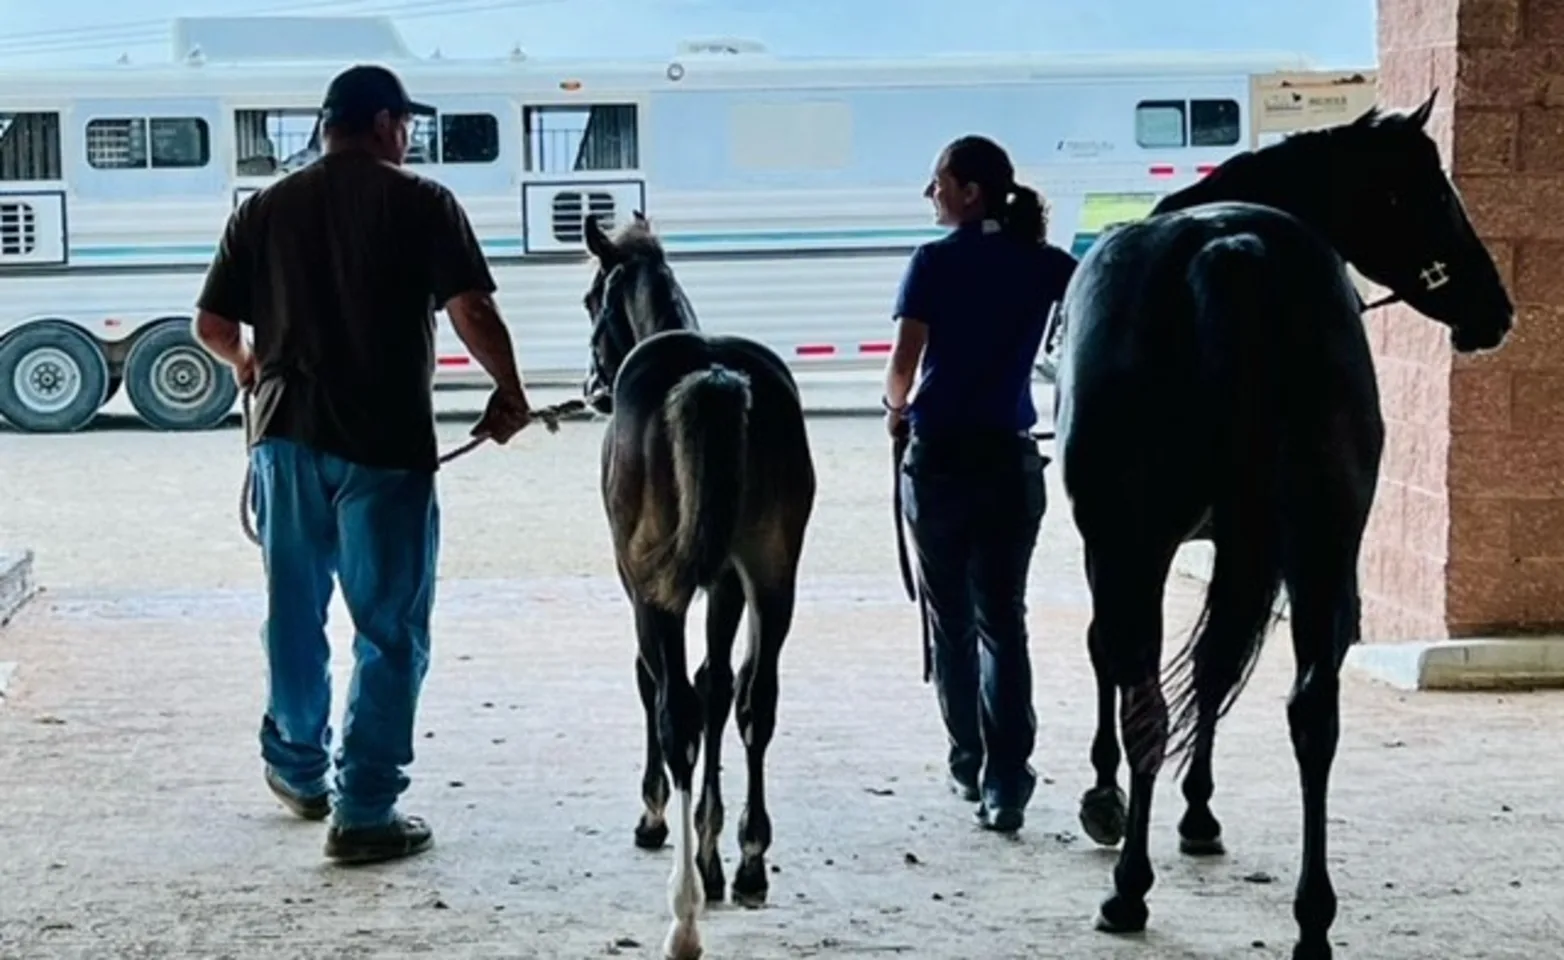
[54, 379]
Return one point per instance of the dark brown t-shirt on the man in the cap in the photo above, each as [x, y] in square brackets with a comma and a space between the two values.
[340, 268]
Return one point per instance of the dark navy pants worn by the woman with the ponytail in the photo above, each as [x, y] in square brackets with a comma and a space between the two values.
[975, 506]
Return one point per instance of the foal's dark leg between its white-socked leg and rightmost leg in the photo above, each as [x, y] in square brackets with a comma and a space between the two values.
[716, 684]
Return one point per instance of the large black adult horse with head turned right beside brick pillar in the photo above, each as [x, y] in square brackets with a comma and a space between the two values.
[1216, 384]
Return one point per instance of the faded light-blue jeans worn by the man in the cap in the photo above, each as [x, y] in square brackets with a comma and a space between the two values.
[378, 531]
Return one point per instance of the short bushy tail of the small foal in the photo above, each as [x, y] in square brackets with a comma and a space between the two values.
[708, 415]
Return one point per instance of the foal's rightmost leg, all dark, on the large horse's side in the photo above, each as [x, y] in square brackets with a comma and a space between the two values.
[772, 618]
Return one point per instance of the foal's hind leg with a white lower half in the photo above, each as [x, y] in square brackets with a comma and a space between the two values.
[680, 736]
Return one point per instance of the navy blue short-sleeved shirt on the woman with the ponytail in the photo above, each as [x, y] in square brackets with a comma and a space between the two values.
[986, 301]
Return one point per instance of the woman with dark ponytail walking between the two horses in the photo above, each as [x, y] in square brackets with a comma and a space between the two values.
[970, 318]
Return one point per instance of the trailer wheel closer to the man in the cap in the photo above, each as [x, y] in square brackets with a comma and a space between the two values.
[174, 384]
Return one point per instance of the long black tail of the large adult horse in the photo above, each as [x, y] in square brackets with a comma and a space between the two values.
[1244, 371]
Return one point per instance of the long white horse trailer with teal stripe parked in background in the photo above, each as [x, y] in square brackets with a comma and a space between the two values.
[789, 192]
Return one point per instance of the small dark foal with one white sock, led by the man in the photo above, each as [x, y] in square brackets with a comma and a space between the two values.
[709, 484]
